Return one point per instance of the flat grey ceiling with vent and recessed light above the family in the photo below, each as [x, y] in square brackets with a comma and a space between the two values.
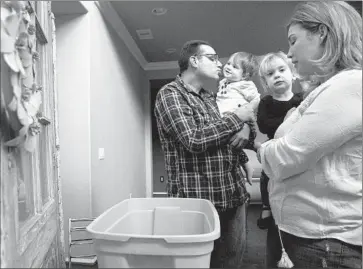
[230, 26]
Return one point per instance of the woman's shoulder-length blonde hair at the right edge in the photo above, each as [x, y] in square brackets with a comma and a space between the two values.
[343, 43]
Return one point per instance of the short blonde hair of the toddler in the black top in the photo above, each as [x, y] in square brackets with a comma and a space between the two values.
[266, 63]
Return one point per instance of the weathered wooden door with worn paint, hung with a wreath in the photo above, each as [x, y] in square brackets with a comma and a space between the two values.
[36, 242]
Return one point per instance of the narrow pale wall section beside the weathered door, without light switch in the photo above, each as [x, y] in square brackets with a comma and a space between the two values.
[73, 82]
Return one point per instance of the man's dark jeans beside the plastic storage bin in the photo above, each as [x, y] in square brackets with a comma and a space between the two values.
[230, 247]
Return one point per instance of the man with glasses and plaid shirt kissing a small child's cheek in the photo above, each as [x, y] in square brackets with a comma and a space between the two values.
[197, 143]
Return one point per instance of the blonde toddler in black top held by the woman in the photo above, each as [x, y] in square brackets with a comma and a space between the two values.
[276, 74]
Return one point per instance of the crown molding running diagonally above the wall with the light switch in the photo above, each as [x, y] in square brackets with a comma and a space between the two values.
[115, 21]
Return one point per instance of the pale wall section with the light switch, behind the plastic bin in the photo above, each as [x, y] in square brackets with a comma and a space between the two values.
[118, 85]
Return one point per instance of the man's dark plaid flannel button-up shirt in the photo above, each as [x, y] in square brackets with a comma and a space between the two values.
[195, 140]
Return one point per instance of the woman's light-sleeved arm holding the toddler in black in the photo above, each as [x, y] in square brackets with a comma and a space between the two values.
[332, 119]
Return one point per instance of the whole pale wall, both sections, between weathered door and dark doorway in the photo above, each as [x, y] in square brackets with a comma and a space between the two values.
[101, 104]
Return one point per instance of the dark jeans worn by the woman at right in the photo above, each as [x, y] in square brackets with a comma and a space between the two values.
[312, 253]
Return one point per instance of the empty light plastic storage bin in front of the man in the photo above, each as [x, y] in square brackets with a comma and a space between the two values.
[156, 233]
